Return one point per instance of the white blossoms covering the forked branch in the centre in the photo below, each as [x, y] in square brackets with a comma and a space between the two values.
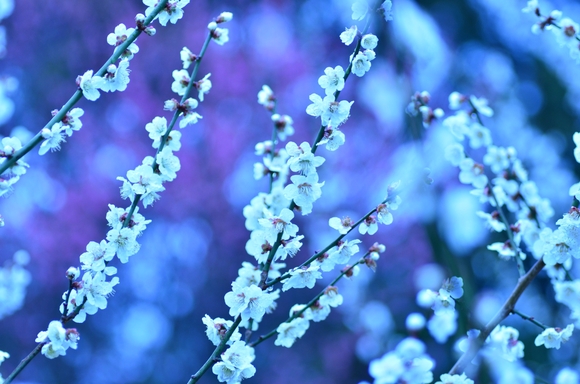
[269, 216]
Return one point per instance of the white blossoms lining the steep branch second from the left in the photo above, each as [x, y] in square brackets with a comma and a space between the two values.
[142, 184]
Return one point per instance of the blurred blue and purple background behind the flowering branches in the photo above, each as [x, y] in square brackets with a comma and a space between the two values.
[151, 331]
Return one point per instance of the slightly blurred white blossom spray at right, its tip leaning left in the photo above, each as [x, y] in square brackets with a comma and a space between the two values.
[510, 188]
